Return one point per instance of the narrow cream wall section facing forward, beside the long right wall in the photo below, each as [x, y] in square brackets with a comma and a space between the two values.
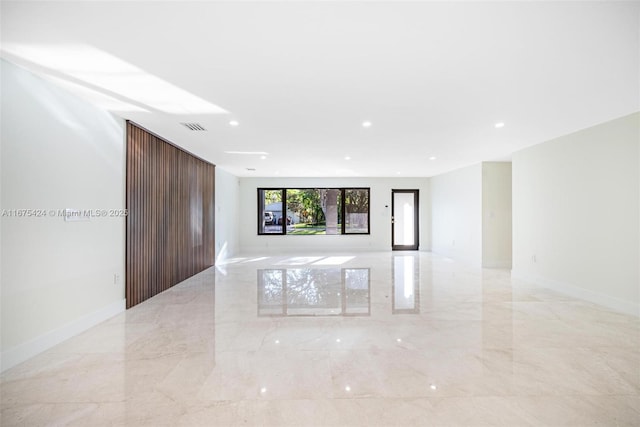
[496, 215]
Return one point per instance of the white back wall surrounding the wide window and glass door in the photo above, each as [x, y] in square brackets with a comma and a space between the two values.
[380, 211]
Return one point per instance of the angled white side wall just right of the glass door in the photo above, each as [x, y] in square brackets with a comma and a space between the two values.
[456, 200]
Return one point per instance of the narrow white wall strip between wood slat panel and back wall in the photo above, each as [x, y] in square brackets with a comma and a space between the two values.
[227, 214]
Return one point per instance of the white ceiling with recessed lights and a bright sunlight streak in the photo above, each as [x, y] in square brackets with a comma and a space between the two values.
[301, 77]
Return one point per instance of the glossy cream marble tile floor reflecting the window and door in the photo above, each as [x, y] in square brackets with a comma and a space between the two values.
[403, 338]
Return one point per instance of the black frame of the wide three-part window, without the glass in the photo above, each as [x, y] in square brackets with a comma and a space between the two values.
[342, 196]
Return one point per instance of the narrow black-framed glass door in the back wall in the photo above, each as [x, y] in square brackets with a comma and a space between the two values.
[404, 220]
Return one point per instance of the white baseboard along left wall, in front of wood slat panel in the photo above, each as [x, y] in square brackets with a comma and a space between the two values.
[25, 351]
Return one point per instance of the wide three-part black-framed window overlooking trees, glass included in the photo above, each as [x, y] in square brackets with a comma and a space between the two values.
[313, 211]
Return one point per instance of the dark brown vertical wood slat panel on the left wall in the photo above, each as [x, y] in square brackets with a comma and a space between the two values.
[171, 220]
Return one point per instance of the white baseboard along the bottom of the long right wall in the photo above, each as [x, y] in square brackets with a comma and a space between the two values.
[604, 300]
